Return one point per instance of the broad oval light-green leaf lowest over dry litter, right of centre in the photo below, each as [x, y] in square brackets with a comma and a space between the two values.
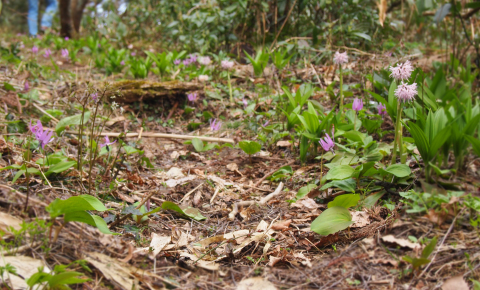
[332, 220]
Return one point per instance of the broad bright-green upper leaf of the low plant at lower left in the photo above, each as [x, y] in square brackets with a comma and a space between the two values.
[73, 204]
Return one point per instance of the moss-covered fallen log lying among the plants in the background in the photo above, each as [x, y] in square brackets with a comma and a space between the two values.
[130, 91]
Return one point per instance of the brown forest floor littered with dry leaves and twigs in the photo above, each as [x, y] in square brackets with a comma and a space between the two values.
[268, 244]
